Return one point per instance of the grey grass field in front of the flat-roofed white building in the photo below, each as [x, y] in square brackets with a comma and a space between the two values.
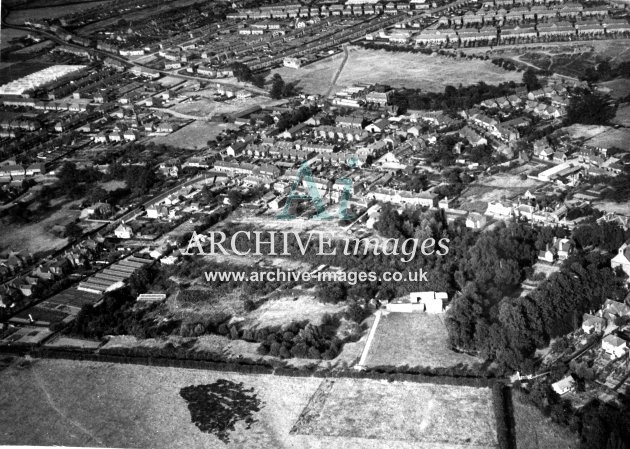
[415, 340]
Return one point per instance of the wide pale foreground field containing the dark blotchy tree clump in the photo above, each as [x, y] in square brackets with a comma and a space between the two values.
[60, 402]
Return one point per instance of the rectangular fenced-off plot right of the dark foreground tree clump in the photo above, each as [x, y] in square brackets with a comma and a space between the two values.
[421, 413]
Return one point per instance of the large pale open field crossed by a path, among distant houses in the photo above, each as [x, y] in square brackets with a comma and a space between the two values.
[431, 73]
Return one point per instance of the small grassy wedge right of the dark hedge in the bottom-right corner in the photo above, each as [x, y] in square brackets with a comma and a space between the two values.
[534, 430]
